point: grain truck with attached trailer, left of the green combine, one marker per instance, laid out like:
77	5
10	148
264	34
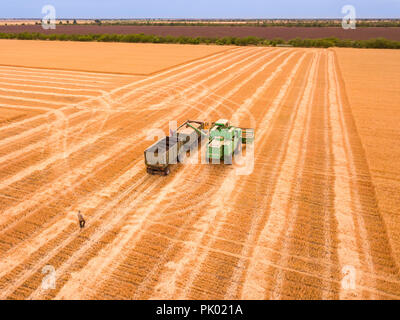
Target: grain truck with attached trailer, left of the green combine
159	156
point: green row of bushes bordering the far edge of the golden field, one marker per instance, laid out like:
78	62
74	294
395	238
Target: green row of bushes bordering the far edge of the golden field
247	41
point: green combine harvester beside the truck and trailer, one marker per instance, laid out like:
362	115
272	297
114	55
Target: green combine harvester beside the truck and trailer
226	140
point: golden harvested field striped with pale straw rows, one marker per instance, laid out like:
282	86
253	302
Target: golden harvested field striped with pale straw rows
316	203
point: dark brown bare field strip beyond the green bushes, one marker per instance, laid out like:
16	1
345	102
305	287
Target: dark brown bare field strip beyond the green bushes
285	33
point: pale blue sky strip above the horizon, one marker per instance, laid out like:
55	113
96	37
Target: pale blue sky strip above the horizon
200	8
